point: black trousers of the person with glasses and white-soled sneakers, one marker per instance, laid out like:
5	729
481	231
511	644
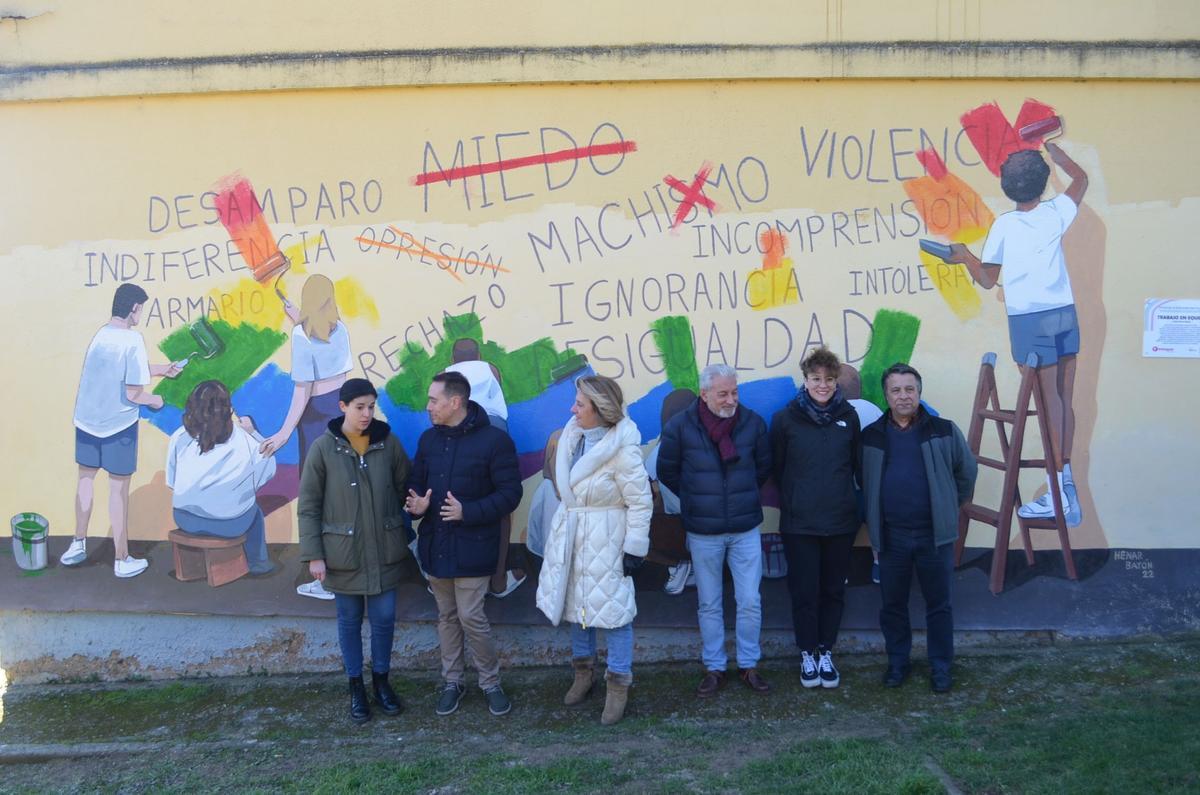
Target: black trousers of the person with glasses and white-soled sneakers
817	581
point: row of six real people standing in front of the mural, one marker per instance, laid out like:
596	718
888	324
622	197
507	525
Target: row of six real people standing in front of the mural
908	474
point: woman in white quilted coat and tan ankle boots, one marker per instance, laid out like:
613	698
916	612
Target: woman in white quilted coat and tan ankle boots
601	534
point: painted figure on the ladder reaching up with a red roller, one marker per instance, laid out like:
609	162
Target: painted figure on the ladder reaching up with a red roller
1025	247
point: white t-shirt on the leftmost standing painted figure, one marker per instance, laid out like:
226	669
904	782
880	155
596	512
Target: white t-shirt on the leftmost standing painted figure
116	360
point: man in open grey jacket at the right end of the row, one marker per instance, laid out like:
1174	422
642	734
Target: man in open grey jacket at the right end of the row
917	473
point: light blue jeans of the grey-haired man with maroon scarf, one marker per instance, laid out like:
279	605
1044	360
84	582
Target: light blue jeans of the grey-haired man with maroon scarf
745	554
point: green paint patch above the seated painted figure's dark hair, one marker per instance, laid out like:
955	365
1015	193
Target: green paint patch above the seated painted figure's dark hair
247	348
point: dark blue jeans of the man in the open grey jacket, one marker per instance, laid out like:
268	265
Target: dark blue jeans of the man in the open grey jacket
904	552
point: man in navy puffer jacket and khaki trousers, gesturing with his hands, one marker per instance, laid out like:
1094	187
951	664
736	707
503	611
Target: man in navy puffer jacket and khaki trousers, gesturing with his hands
465	481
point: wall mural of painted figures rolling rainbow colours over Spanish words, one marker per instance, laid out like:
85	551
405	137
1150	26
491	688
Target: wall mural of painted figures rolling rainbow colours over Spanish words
221	338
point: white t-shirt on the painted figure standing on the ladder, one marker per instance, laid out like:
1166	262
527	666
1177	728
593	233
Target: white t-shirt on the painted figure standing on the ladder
1029	247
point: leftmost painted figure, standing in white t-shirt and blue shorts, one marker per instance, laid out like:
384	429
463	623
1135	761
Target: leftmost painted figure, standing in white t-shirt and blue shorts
112	388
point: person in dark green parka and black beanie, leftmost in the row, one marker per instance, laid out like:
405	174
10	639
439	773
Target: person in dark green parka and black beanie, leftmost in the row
352	535
